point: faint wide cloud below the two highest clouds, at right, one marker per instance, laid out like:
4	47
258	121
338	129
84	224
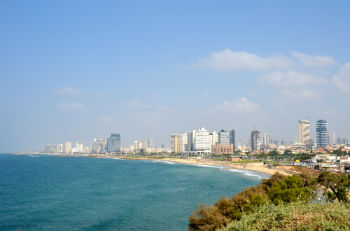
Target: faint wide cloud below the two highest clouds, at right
291	78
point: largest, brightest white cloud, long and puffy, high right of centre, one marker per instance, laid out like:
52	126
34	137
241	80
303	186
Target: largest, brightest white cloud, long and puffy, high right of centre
228	60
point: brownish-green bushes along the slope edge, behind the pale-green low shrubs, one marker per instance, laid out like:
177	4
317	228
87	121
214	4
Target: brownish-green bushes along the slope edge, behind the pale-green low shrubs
278	189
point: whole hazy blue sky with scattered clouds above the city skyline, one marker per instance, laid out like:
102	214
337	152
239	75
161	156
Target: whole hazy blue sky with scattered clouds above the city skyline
75	70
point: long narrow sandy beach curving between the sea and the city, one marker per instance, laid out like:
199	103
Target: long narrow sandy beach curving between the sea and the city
254	166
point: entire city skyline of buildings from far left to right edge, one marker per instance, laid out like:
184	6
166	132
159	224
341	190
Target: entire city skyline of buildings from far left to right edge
201	142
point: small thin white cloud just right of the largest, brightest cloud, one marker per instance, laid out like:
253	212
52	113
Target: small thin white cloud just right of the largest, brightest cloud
313	61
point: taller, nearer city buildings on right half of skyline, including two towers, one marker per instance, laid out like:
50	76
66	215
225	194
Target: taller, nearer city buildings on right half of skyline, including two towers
203	142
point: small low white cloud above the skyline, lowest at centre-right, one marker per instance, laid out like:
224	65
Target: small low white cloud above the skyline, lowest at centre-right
239	106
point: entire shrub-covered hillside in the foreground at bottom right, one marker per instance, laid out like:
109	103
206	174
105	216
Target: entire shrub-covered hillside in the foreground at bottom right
281	203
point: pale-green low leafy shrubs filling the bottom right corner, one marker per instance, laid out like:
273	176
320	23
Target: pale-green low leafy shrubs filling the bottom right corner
295	216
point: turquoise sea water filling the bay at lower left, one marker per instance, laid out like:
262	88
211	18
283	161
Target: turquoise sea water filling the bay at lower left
71	193
